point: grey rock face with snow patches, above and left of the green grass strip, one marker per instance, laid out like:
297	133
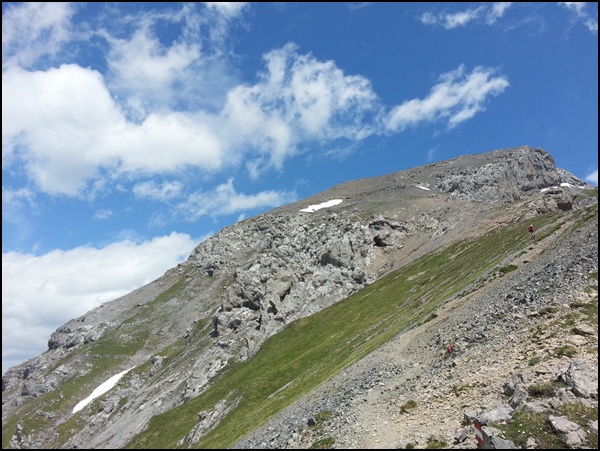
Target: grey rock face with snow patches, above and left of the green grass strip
249	281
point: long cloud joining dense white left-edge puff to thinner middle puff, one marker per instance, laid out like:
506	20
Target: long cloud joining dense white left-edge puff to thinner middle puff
68	130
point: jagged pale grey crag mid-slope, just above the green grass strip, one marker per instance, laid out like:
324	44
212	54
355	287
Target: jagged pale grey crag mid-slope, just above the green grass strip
297	269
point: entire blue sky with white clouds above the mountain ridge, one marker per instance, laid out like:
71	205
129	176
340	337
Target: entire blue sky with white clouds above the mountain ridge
133	131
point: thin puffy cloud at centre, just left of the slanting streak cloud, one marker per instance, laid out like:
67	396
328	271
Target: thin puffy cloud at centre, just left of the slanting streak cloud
299	99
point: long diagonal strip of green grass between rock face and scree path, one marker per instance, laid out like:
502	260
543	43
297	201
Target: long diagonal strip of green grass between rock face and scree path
312	350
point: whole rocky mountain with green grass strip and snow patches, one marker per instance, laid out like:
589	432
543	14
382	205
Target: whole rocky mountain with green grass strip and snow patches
277	328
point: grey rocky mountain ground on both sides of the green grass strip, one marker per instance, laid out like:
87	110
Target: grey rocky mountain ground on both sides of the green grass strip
252	279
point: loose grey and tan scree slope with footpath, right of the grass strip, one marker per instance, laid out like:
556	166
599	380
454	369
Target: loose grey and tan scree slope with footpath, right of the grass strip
496	332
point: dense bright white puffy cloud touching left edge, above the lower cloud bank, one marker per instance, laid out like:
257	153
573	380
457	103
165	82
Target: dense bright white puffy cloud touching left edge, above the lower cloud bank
65	127
